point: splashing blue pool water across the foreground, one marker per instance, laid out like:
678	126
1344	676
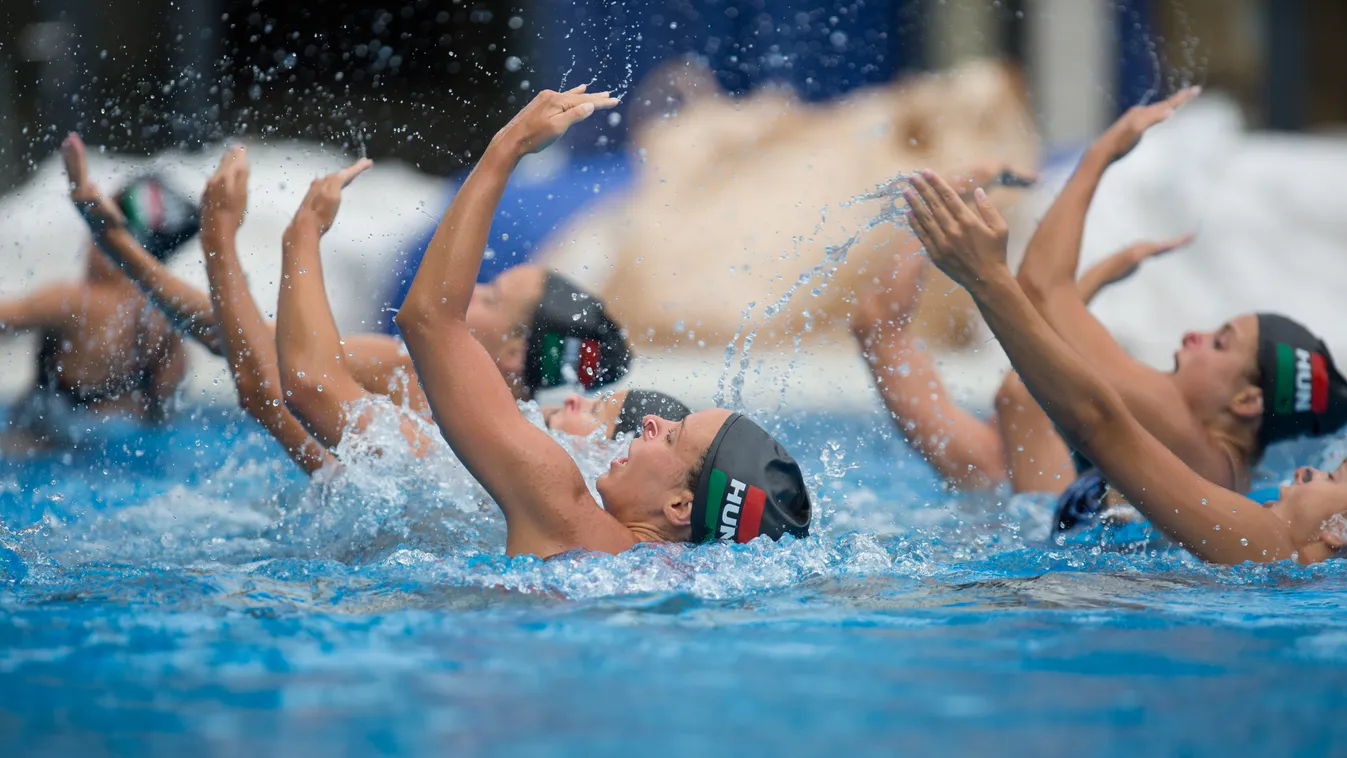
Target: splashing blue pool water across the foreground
189	593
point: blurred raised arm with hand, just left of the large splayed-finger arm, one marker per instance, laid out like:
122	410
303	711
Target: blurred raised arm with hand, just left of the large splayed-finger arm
960	446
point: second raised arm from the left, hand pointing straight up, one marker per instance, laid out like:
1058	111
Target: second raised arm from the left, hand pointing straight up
249	341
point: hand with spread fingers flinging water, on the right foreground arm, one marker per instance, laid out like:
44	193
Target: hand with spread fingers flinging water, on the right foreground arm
968	246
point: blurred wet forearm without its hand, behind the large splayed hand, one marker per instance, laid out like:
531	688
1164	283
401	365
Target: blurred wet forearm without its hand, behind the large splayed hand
960	446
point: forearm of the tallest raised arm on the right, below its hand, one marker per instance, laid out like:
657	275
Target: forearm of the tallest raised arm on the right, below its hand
1054	252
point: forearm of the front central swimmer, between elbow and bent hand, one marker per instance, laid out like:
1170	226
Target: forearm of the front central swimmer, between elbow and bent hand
448	273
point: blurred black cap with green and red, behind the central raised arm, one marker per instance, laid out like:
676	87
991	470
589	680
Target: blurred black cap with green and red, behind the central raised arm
573	341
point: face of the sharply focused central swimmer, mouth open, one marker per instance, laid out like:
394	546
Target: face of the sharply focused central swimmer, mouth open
650	488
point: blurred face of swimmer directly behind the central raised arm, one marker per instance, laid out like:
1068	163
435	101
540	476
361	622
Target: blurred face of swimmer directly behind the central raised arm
499	316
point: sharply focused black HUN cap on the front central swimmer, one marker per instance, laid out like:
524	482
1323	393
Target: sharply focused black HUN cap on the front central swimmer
750	487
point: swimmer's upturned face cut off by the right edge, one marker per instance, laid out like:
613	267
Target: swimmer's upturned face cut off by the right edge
1315	508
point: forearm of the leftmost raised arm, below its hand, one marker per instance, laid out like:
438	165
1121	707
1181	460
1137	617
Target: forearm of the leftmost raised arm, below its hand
188	308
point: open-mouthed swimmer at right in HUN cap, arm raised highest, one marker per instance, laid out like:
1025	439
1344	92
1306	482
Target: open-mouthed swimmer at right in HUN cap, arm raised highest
1221	407
